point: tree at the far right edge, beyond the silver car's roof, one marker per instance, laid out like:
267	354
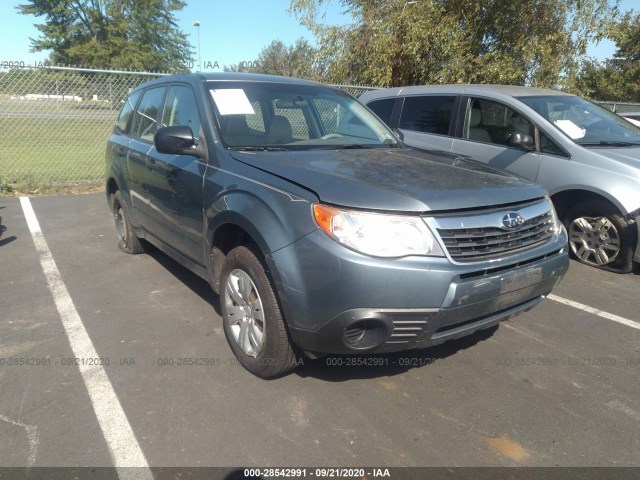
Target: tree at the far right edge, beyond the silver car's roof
617	78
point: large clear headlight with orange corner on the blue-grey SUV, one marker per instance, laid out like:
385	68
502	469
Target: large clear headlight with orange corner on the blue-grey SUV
375	234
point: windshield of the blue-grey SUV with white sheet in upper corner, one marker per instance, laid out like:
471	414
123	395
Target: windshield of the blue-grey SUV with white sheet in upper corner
282	116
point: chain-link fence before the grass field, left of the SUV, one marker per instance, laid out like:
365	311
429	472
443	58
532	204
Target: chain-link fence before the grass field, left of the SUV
55	122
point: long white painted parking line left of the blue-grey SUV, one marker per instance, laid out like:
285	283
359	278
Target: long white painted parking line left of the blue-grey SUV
123	445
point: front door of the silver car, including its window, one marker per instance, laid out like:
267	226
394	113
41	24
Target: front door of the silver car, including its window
499	136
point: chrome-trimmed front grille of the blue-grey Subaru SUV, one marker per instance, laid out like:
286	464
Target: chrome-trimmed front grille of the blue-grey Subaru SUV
468	244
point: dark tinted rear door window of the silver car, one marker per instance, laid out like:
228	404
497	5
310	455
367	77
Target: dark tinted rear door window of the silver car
429	114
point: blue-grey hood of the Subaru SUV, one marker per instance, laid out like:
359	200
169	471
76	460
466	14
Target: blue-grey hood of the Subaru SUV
395	179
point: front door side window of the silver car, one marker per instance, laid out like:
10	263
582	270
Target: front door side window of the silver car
492	122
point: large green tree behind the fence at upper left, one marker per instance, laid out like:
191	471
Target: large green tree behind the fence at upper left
117	34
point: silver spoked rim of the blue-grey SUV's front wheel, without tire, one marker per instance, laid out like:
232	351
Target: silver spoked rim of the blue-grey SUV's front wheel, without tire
245	312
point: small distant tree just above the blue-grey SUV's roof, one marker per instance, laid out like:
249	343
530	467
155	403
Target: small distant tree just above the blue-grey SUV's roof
298	60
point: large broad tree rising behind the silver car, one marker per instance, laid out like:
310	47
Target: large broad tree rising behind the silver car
401	42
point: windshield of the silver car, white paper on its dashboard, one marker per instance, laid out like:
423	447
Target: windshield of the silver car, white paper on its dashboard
585	122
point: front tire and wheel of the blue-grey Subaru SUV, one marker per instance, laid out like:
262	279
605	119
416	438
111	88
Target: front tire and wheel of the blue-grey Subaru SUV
251	316
